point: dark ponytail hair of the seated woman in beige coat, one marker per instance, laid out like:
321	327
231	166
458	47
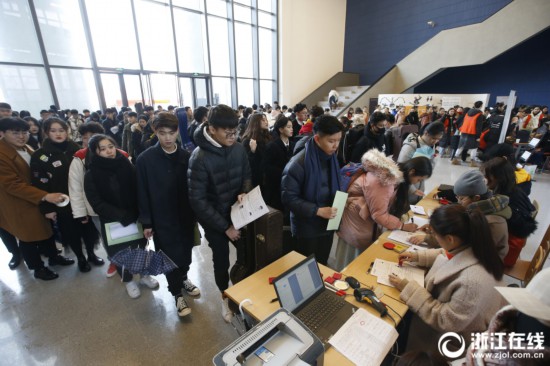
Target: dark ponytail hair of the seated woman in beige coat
472	228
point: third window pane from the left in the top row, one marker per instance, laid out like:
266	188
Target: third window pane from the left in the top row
113	35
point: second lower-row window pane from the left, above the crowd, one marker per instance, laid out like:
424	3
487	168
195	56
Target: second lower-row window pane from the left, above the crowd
75	89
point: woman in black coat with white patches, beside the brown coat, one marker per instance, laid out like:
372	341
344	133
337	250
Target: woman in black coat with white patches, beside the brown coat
50	173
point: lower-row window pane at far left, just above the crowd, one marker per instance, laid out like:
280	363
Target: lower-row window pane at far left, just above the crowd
25	87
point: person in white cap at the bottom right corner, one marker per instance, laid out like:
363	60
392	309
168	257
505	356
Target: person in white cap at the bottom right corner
526	316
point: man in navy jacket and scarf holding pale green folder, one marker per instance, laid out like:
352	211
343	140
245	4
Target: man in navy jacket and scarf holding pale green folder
309	184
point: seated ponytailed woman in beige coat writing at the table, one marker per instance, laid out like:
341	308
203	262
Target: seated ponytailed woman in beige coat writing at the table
459	294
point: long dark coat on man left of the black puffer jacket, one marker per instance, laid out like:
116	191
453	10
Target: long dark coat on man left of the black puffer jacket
164	200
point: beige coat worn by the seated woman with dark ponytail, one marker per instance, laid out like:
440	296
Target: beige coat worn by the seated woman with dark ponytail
459	296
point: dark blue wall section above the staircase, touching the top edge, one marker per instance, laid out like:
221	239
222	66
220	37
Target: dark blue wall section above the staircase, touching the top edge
379	34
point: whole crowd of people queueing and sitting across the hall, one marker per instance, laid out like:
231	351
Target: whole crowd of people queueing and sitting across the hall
67	175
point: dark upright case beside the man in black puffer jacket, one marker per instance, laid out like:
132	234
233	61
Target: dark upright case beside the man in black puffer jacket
268	238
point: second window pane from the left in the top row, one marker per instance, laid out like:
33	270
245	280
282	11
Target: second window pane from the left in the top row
61	26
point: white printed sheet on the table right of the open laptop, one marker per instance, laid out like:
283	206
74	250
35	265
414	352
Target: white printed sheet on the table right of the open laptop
364	339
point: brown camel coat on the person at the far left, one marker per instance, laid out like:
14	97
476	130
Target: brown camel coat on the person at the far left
19	200
